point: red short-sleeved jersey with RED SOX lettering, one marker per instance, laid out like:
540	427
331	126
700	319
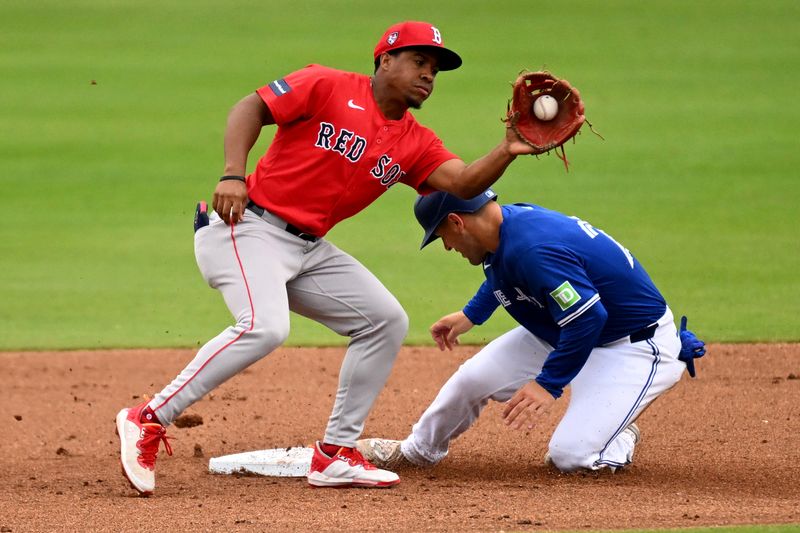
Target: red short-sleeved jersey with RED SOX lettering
334	152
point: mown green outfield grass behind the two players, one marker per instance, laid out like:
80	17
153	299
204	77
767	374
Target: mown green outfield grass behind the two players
113	112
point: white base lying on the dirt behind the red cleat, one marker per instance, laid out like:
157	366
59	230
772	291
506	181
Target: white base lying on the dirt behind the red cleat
278	462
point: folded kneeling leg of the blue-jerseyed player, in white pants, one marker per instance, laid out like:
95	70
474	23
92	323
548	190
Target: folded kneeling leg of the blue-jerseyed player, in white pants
615	385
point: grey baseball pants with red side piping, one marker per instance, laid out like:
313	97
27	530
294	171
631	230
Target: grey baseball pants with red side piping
263	272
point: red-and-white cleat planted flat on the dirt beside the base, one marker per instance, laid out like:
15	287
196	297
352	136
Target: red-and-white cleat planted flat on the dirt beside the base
347	468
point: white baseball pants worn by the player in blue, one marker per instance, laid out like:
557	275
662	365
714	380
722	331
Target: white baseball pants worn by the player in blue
617	383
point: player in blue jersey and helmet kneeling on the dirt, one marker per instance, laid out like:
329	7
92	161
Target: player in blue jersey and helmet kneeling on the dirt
590	317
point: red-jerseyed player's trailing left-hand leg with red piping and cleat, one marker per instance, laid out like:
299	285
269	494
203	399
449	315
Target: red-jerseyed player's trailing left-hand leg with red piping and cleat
249	264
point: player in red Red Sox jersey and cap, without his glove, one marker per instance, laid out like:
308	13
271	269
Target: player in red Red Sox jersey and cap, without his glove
343	139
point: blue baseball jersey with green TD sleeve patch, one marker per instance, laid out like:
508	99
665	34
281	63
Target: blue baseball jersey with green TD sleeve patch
566	282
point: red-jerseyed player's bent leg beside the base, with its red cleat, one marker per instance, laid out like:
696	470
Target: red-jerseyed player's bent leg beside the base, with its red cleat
337	291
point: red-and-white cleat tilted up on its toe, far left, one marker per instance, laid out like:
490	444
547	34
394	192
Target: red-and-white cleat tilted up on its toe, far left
139	442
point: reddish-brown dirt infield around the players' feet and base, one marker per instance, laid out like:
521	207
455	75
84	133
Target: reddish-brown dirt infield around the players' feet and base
720	449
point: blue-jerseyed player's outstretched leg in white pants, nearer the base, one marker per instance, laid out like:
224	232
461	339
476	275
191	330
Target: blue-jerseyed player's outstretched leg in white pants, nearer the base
496	372
